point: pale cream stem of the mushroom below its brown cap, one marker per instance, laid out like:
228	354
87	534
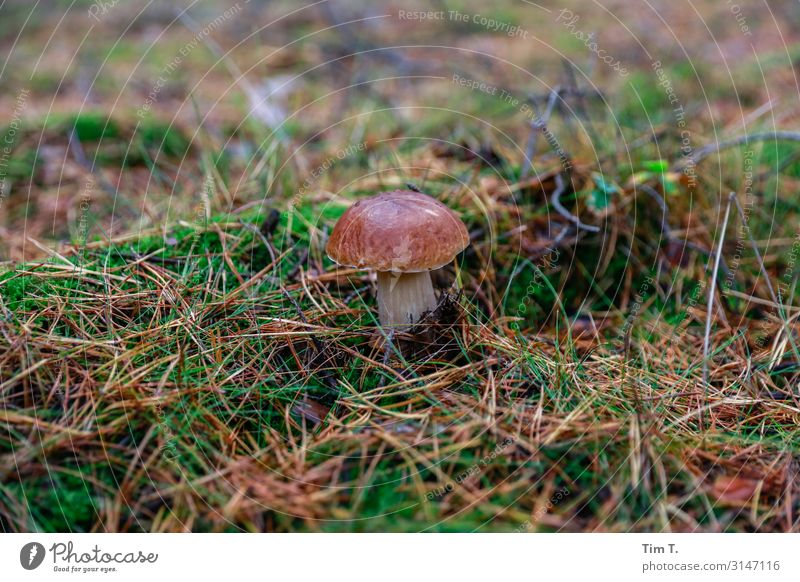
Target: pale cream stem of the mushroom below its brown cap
404	297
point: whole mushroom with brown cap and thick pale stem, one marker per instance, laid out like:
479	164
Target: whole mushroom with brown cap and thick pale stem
402	235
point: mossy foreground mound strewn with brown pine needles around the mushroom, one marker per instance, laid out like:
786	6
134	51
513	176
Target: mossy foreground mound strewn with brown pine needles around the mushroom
161	386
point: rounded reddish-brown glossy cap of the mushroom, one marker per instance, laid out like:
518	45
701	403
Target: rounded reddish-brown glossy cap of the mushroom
399	231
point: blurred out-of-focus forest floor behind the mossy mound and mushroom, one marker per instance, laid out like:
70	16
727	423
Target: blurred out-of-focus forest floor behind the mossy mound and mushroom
118	112
